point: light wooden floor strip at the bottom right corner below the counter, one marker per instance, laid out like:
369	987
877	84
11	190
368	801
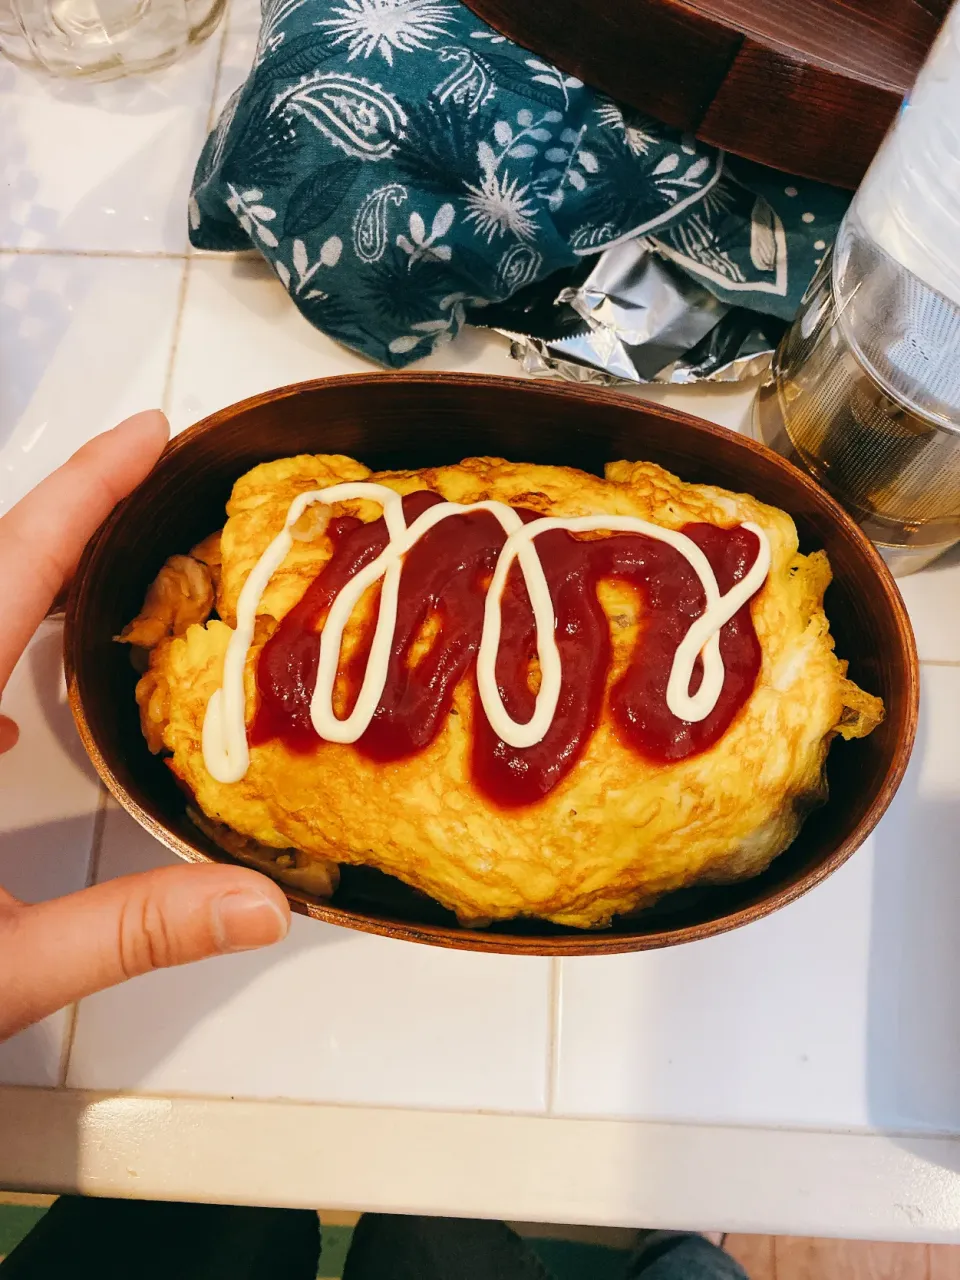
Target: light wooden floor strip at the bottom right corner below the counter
787	1258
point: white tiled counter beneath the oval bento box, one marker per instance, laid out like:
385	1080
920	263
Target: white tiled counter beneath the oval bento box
802	1075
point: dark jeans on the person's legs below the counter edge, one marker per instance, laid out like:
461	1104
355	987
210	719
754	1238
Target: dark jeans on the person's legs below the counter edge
157	1241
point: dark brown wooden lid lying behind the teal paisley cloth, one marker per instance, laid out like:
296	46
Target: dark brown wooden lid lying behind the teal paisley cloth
807	86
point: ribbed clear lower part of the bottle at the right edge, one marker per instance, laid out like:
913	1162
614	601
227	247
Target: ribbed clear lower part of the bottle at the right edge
865	396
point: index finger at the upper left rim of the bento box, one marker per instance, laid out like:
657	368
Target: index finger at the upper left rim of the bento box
43	537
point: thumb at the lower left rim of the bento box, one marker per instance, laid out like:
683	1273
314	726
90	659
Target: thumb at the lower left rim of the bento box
57	953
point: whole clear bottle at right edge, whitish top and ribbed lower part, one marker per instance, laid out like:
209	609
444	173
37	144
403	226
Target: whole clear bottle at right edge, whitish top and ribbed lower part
865	392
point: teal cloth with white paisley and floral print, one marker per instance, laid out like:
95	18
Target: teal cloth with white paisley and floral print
400	164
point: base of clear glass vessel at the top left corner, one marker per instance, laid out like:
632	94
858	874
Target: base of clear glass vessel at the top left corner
103	39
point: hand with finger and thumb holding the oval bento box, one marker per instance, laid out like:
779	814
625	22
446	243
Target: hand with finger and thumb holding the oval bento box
53	954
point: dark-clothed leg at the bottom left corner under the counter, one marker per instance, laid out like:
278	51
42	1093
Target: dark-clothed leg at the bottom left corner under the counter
156	1241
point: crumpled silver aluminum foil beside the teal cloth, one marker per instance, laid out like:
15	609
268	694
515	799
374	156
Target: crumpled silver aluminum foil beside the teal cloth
637	318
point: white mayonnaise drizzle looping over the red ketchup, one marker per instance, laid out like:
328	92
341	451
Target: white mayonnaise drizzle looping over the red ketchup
226	752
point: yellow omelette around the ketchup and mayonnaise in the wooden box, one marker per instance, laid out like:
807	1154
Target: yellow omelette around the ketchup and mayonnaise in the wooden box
616	834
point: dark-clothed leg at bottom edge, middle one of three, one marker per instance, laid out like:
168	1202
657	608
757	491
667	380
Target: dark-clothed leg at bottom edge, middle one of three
436	1249
